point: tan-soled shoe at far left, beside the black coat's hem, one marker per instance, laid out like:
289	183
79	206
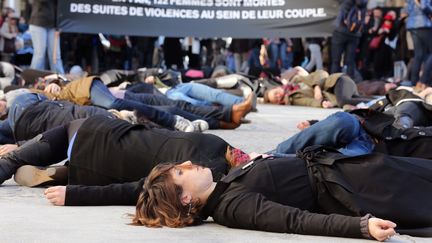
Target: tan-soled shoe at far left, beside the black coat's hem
32	176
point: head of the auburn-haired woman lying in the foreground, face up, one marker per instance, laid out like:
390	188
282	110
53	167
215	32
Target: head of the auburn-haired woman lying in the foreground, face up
173	195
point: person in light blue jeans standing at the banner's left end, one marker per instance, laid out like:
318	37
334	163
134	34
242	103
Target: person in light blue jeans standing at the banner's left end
45	36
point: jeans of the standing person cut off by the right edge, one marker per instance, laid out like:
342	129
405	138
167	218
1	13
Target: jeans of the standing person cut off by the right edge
422	48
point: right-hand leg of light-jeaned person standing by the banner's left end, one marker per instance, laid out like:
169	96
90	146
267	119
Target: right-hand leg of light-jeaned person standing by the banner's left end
56	63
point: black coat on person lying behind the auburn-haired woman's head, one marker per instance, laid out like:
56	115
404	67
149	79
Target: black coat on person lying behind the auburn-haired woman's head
109	151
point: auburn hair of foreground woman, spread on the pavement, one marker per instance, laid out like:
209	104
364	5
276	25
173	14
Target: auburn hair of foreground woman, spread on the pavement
159	203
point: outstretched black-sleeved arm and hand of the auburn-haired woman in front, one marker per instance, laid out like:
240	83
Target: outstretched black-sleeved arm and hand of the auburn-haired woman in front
253	211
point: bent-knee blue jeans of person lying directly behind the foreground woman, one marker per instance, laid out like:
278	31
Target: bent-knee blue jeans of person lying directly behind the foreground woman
340	130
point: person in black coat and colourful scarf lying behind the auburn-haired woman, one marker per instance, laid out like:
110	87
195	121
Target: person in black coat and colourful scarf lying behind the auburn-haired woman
102	150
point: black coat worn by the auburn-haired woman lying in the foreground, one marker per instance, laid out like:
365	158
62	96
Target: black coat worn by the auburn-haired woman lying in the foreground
274	194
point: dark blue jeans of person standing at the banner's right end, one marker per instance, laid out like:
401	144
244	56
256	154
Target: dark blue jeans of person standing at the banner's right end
344	43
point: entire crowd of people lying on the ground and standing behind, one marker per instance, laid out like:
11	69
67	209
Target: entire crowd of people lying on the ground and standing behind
119	128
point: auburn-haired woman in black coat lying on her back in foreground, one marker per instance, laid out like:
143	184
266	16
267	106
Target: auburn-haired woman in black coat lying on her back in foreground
317	193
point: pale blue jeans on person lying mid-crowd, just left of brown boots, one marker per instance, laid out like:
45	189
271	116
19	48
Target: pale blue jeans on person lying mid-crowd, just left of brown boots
200	94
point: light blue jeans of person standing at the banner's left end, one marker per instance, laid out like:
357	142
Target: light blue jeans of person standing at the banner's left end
43	39
